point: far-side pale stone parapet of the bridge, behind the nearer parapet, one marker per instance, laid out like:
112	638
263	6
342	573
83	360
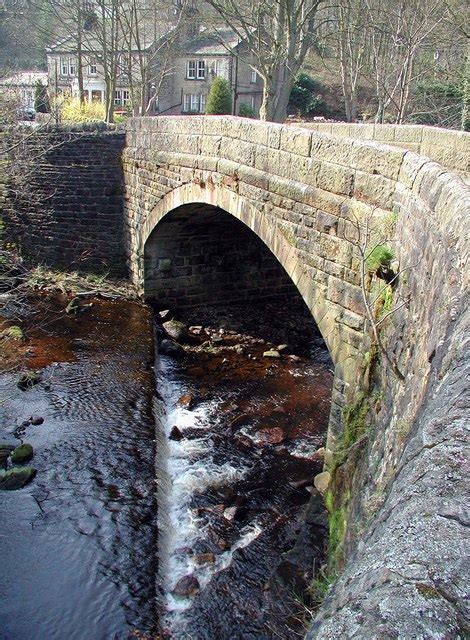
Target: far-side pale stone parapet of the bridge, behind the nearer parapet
448	147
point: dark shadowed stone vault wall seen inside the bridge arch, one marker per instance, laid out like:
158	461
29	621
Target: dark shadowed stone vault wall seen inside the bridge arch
199	255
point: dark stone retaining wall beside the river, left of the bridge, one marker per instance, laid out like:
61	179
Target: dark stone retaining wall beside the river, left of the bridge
66	209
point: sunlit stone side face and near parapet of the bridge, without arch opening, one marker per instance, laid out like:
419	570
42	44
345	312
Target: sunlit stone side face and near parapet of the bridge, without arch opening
297	189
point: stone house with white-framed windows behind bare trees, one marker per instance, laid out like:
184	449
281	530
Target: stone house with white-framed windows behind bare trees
198	54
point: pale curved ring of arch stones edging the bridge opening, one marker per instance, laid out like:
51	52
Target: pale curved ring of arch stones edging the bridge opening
347	362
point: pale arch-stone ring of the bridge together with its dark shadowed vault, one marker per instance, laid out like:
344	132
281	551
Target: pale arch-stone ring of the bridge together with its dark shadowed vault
203	246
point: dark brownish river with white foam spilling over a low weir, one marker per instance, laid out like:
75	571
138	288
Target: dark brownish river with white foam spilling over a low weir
168	488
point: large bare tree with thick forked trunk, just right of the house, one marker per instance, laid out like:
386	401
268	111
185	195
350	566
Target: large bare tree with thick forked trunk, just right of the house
278	34
